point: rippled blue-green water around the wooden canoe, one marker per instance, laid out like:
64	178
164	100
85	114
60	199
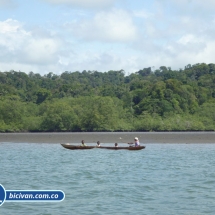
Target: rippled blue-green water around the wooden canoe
160	179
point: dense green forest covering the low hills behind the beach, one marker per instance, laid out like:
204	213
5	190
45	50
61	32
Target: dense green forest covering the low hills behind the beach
159	100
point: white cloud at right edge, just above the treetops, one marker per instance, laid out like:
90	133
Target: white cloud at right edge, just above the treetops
188	49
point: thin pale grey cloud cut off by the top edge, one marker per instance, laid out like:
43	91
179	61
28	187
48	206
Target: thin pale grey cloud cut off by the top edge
83	3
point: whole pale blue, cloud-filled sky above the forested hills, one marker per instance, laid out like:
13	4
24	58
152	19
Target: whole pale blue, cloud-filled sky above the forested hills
55	36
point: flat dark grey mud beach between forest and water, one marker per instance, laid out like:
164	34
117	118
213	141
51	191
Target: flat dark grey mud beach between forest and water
109	137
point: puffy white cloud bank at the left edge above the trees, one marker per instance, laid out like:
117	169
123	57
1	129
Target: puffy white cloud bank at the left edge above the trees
25	47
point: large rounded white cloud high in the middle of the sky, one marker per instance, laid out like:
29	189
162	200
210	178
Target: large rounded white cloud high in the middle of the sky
112	26
